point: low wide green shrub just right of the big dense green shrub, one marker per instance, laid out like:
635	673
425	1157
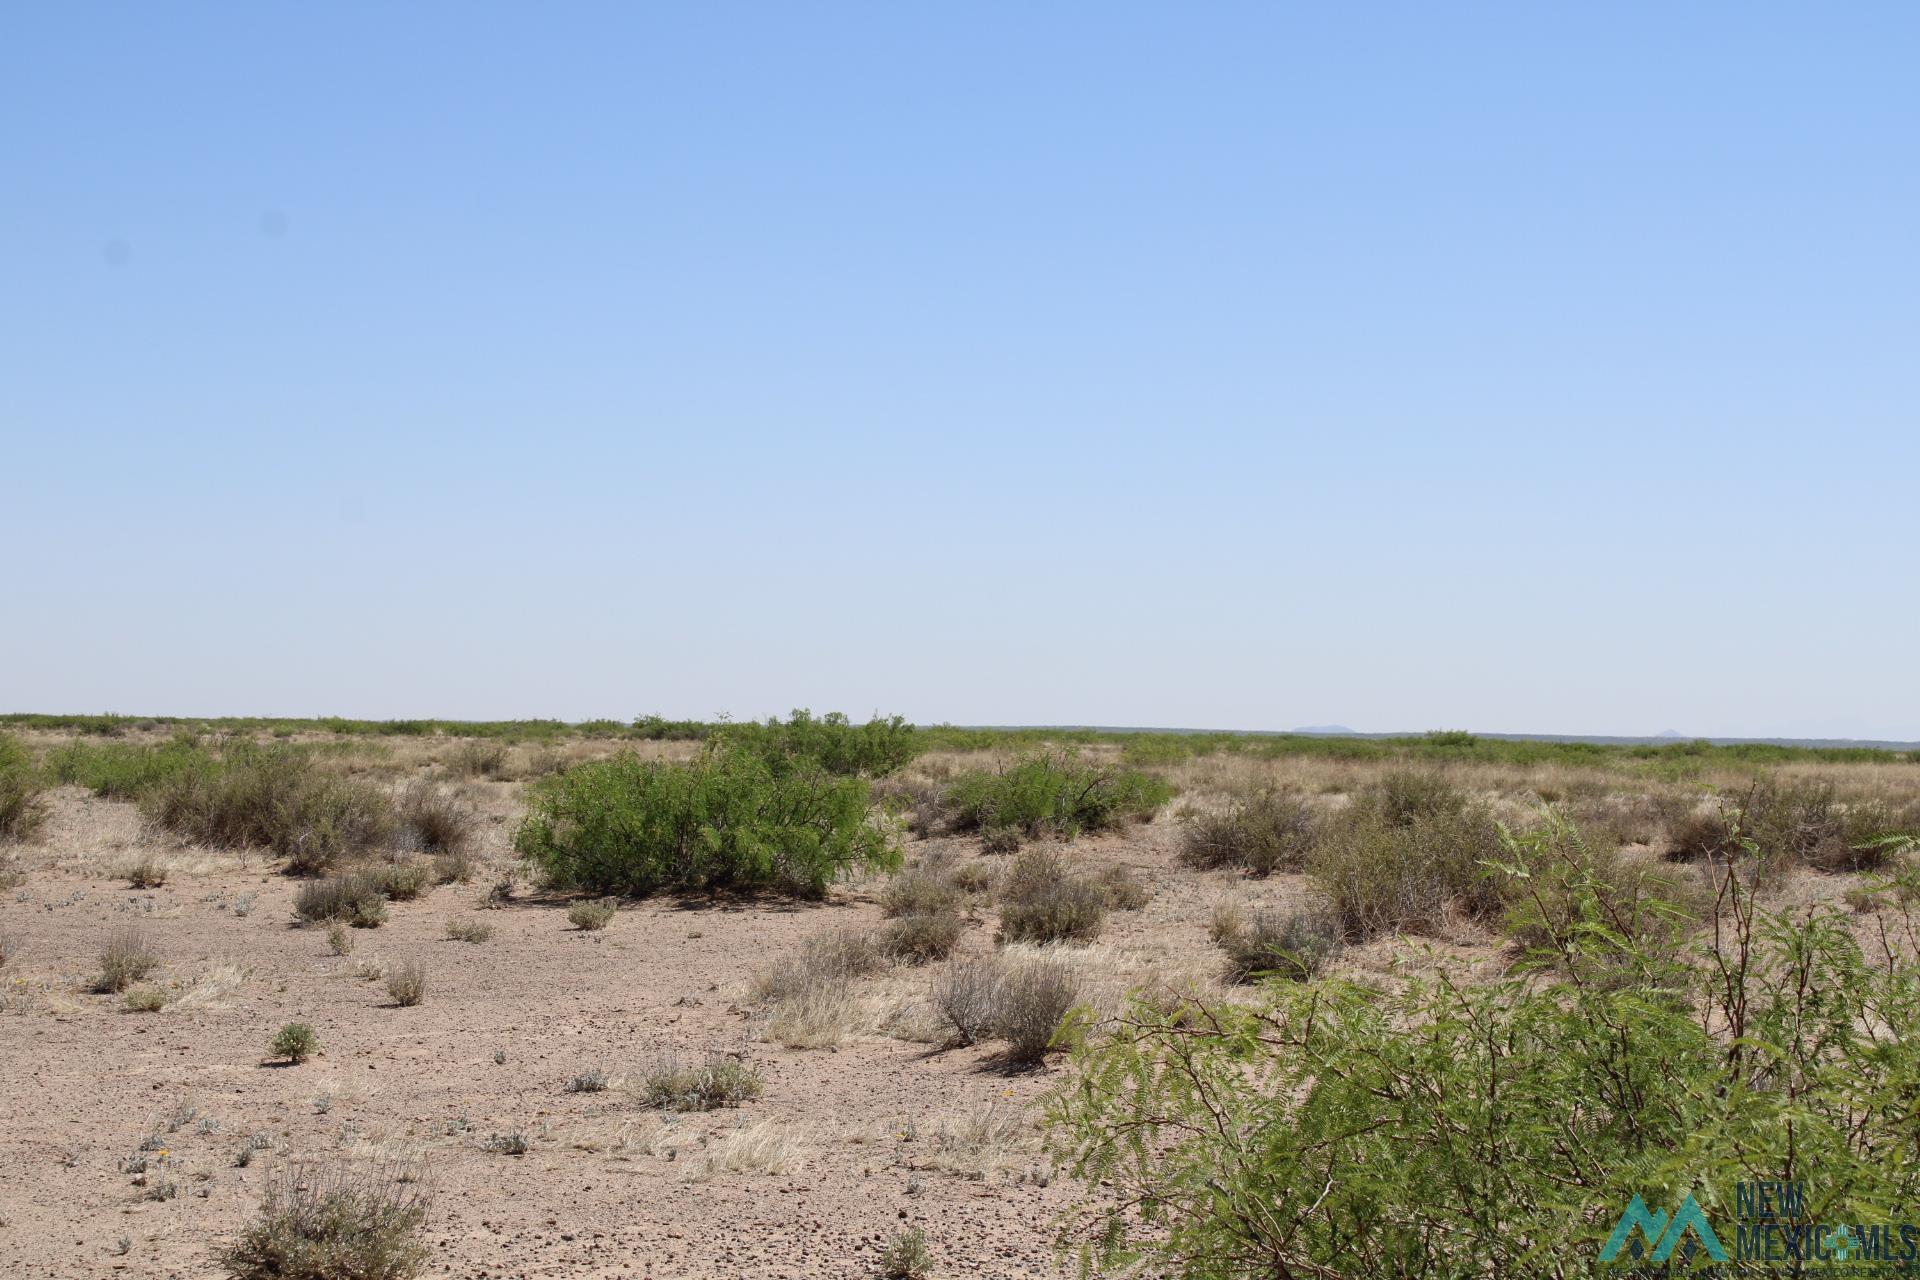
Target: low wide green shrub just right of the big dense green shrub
1053	794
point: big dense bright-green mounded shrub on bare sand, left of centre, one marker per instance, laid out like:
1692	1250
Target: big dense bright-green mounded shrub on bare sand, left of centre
731	818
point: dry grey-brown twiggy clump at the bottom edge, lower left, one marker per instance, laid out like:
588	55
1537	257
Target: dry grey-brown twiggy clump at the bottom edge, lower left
337	1223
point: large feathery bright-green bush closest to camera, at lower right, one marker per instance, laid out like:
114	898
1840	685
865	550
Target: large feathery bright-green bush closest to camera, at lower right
1466	1131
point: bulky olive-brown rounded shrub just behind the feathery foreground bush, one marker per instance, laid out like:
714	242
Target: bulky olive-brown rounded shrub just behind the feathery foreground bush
1385	876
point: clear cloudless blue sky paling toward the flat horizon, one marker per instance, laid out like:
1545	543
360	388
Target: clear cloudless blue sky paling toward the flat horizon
1506	367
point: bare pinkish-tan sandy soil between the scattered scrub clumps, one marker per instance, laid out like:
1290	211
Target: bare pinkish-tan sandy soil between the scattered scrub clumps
610	1189
